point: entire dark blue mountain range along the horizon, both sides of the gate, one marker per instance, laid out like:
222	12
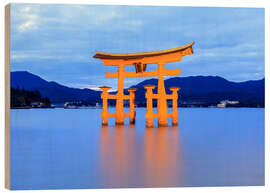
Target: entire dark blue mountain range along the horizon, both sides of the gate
200	90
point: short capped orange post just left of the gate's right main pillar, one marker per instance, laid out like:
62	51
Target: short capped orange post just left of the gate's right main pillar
149	107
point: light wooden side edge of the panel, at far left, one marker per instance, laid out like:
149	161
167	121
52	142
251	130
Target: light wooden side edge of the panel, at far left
7	96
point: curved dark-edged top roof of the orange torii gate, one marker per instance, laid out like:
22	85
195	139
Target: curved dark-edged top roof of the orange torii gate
138	55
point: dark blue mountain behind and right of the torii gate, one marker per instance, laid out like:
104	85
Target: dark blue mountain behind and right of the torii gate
210	90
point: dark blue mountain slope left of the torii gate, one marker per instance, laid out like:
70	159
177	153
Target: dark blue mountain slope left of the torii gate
56	92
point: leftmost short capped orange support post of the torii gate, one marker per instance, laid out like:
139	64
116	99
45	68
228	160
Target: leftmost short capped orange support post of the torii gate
104	97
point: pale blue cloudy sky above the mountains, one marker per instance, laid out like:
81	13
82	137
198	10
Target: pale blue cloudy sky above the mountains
58	42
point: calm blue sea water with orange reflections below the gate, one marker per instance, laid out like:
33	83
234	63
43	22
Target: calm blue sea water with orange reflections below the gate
68	148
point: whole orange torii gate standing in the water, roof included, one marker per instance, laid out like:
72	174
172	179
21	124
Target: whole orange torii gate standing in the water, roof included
140	60
